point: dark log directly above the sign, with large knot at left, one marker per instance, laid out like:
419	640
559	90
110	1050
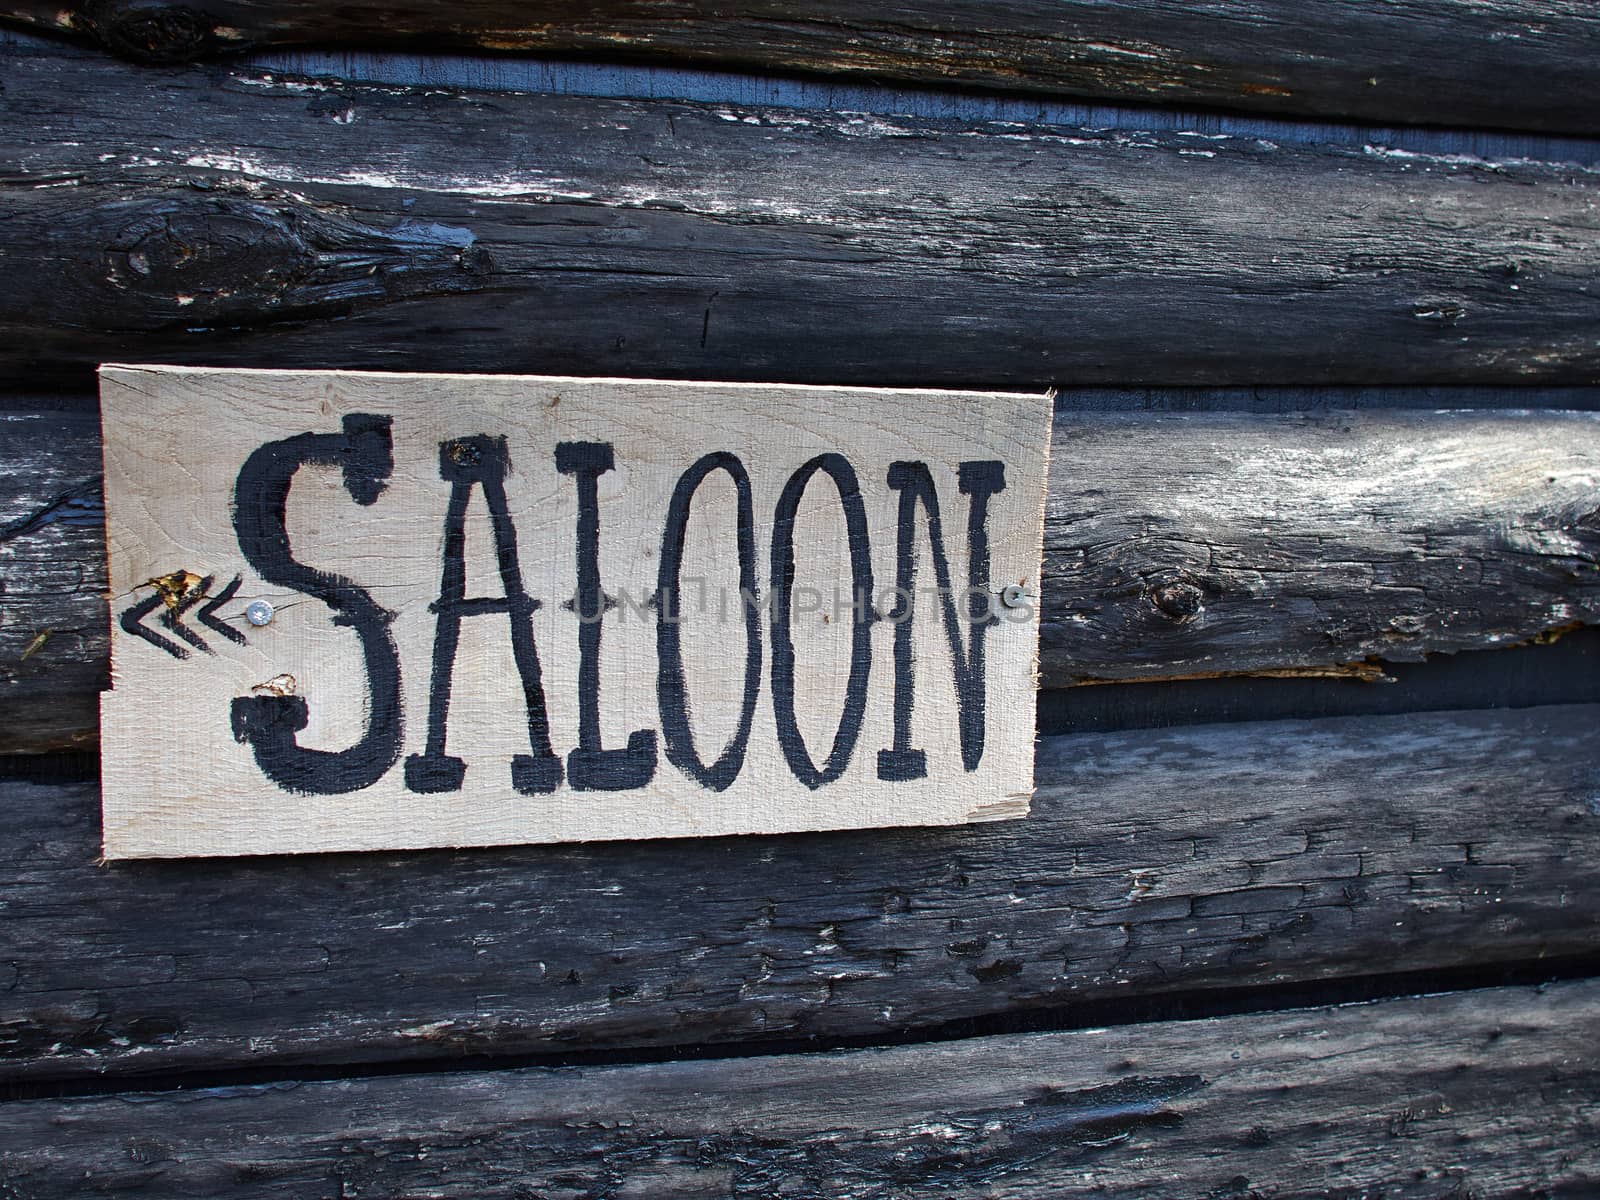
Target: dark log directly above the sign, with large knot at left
226	217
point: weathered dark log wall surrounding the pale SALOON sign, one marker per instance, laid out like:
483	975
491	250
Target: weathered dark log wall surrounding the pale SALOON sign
236	215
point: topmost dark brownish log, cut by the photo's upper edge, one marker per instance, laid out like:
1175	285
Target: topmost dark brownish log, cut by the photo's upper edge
1510	63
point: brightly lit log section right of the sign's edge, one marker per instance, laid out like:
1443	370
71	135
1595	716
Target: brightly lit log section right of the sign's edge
1183	545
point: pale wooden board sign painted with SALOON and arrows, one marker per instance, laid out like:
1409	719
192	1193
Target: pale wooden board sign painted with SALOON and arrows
370	612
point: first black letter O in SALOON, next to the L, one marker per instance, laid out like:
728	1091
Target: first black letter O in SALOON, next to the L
671	687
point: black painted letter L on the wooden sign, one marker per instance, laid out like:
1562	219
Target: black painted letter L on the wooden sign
591	767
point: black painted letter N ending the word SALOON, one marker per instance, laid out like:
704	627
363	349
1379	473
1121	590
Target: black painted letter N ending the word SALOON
914	484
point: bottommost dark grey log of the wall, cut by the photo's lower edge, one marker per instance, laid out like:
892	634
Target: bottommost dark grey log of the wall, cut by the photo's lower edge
1479	1094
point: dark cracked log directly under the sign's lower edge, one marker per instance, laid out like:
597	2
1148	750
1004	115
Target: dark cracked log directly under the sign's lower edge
1154	863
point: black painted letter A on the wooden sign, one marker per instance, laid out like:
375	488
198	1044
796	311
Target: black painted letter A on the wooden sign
466	463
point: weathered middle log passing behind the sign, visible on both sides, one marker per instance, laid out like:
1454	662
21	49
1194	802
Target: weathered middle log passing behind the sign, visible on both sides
1177	545
